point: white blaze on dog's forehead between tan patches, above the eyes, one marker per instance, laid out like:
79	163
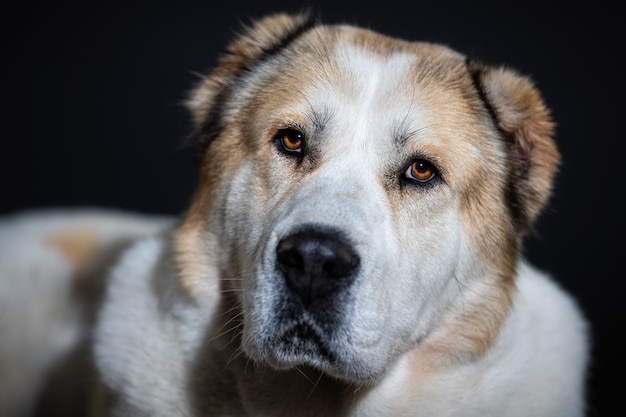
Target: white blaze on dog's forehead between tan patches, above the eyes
371	97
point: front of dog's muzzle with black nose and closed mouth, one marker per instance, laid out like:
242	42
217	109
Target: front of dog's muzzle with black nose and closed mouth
304	310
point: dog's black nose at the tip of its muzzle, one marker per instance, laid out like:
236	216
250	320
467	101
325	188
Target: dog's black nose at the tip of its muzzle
316	263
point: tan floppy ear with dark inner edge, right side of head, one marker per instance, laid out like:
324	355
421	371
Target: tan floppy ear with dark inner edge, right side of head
525	122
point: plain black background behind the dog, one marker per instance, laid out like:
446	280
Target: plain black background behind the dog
93	116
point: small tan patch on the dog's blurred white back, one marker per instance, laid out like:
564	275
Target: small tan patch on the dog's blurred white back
78	246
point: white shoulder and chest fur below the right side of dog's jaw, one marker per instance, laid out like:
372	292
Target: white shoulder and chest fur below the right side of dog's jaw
535	366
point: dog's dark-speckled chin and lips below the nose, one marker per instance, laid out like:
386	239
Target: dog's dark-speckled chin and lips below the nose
302	346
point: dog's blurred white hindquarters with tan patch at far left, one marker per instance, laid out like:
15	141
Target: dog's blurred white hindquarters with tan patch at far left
53	268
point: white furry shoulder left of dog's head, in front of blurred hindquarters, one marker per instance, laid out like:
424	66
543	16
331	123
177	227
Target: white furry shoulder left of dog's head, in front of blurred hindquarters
148	328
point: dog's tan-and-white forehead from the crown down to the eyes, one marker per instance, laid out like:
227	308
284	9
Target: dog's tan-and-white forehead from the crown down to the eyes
381	90
